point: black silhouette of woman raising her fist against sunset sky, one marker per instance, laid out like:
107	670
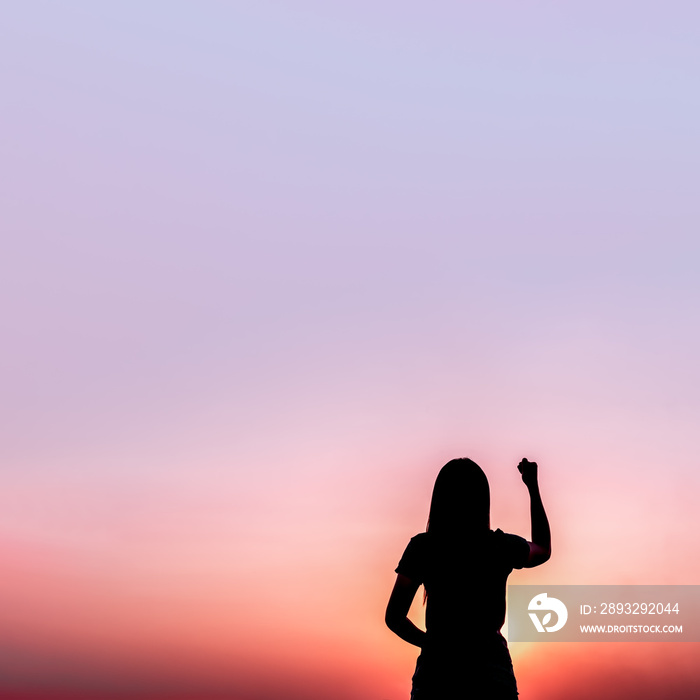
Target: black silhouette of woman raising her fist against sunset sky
463	565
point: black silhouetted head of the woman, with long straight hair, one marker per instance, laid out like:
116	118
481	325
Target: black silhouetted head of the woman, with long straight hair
461	499
